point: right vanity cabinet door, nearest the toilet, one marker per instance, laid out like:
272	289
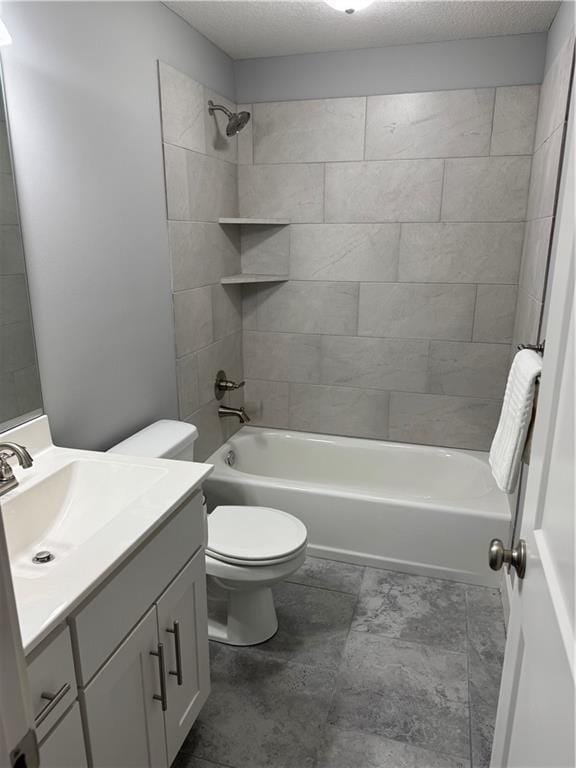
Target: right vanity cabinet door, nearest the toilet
183	628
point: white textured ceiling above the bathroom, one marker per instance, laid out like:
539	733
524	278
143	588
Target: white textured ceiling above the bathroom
248	29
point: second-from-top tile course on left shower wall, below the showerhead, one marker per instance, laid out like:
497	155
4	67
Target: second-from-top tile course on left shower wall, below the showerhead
198	187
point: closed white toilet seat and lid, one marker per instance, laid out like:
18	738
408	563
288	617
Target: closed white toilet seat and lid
254	536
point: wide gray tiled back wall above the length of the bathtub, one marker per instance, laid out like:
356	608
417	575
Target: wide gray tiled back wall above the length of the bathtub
405	253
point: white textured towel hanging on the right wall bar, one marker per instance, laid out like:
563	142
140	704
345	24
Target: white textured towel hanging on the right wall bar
508	444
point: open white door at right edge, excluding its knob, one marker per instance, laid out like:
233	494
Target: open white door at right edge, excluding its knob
535	722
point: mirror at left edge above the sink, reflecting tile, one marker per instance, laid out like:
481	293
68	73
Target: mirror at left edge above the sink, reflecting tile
20	395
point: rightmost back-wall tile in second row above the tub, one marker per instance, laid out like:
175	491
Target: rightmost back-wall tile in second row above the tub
472	369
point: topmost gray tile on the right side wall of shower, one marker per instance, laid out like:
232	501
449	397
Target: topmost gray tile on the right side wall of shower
554	93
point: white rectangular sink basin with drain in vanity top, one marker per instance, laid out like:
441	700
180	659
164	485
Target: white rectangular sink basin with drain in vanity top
65	509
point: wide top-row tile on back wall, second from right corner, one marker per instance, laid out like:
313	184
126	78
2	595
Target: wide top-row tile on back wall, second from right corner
433	124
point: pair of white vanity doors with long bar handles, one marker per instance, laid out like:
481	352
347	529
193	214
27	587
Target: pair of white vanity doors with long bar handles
143	702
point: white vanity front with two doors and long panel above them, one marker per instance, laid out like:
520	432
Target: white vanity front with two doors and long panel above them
140	696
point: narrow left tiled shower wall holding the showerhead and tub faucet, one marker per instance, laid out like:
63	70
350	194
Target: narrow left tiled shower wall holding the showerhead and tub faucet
201	185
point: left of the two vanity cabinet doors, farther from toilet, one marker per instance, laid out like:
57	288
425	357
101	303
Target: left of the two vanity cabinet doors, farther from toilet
125	723
